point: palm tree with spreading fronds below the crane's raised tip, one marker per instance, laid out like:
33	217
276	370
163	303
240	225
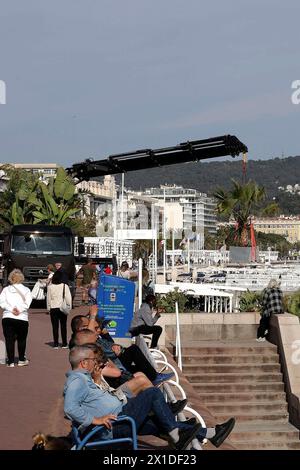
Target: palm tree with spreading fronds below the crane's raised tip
238	204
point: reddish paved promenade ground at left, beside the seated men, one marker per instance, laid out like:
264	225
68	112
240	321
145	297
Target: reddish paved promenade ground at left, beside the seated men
31	397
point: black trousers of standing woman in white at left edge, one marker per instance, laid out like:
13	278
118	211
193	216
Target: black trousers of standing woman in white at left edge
15	330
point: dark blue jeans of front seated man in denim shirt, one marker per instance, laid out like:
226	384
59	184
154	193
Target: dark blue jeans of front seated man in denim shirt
152	416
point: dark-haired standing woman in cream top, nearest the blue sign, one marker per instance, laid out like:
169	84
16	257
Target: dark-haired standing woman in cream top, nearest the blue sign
55	295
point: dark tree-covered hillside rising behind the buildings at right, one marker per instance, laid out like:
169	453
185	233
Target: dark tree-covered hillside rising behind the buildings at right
207	177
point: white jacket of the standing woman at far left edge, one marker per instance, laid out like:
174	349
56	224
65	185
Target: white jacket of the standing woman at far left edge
10	299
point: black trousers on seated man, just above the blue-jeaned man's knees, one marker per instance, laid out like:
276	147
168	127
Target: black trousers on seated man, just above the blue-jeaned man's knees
134	360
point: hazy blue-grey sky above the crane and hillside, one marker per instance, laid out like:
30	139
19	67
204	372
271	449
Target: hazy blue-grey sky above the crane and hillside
92	78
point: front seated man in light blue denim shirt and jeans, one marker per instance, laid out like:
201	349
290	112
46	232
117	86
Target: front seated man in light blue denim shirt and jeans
85	404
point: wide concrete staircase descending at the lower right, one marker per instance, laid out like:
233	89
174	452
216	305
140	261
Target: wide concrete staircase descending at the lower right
243	379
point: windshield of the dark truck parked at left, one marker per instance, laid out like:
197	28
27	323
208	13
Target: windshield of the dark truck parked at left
41	244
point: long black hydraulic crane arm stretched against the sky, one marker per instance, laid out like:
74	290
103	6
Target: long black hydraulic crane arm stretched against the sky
149	158
